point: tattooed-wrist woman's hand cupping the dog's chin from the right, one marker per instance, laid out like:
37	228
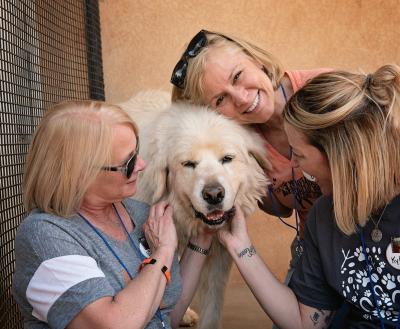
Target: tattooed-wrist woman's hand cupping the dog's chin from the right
235	236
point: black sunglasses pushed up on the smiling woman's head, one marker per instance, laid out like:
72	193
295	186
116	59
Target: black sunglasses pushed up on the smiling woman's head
198	42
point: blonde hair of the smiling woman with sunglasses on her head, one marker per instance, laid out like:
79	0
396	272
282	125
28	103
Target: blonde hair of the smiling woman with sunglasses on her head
192	90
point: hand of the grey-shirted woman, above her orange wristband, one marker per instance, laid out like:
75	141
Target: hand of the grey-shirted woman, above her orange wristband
159	228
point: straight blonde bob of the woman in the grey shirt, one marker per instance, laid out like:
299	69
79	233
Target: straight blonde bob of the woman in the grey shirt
69	147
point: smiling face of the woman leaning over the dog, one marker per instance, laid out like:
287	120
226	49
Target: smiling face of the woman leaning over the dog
245	94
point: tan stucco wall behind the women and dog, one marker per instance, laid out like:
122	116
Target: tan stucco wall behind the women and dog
142	41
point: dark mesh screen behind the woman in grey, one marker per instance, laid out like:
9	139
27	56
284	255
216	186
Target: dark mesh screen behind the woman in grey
50	50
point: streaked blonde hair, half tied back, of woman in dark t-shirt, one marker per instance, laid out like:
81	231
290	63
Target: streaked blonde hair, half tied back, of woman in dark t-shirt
354	120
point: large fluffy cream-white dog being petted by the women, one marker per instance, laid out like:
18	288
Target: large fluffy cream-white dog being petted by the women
203	164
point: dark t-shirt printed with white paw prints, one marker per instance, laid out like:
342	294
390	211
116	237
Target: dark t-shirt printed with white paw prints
333	268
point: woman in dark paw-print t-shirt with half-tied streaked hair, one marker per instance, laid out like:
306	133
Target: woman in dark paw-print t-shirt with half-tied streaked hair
344	130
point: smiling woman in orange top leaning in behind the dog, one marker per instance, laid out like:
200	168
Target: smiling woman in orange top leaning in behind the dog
249	85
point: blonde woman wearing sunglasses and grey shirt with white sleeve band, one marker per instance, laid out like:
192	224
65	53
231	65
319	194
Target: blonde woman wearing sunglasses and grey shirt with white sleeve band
88	256
